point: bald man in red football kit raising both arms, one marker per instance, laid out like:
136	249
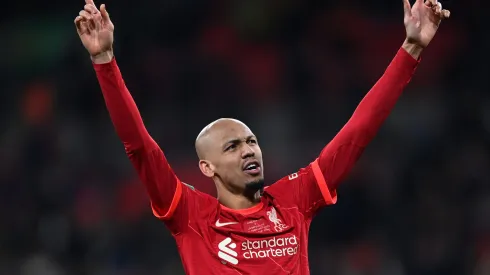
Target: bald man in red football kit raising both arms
248	229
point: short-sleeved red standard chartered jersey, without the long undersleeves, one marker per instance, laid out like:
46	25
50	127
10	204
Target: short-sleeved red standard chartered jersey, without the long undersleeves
269	238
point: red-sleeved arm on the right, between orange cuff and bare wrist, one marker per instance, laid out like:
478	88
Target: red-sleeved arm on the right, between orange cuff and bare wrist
340	155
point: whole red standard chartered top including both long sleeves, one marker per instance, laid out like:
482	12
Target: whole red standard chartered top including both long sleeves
271	237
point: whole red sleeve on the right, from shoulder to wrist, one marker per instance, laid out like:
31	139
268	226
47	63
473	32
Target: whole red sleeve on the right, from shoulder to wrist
315	185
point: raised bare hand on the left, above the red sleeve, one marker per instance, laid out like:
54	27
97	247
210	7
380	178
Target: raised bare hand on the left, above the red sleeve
96	32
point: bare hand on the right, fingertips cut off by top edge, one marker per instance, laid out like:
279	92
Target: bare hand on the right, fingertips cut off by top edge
422	20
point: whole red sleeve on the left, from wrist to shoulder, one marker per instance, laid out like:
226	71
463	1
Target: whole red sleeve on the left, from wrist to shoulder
169	197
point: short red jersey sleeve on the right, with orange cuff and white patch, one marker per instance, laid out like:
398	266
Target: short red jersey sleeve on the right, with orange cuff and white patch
306	189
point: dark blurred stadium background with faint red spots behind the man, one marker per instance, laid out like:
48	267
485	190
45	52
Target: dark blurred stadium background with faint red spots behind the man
418	202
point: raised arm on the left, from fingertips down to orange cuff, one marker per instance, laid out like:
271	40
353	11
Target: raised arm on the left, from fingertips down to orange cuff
96	32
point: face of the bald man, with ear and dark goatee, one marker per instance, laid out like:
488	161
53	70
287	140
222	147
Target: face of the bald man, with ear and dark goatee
233	156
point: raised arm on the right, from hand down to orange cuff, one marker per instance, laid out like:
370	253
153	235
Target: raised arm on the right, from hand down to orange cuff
338	157
